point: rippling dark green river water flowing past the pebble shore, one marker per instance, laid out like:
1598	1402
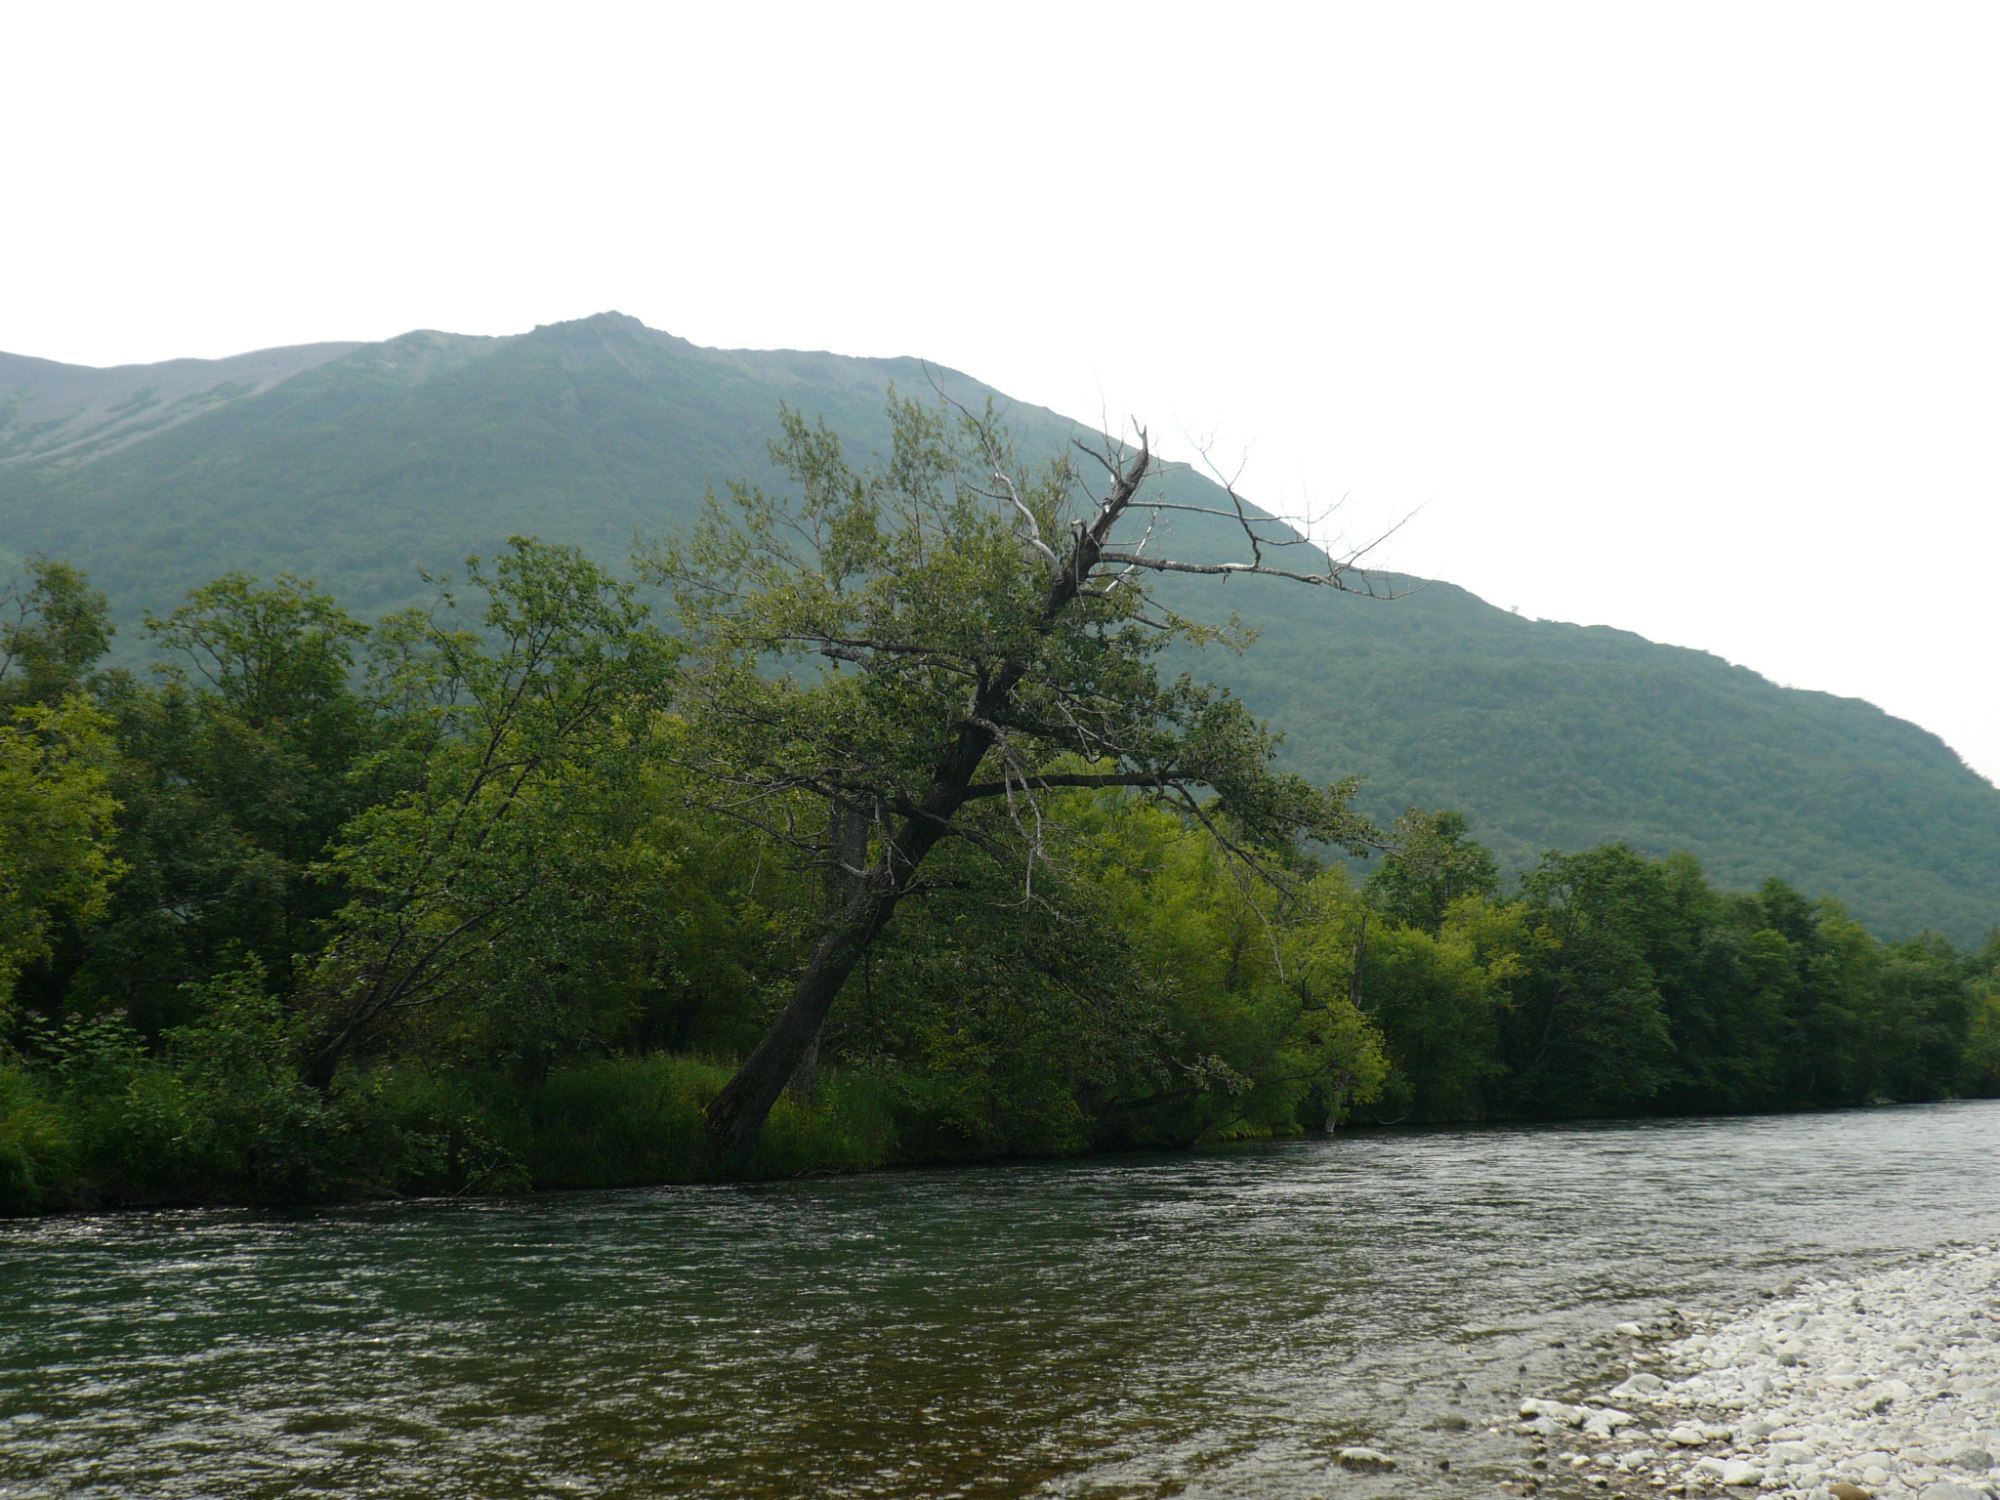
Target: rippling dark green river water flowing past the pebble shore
1209	1325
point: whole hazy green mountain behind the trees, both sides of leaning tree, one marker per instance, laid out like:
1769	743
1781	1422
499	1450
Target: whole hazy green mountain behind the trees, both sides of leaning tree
359	465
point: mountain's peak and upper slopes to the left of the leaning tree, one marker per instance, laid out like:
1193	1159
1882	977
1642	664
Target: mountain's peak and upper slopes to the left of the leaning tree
369	463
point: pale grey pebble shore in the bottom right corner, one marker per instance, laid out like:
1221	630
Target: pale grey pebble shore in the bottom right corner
1885	1385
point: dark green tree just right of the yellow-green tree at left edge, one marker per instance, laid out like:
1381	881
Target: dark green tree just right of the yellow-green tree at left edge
237	769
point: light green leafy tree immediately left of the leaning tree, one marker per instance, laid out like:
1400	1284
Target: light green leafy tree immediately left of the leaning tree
491	881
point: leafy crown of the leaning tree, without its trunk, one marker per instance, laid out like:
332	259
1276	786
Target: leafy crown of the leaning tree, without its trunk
845	631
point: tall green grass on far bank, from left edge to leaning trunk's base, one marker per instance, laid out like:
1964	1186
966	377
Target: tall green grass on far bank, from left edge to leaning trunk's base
143	1131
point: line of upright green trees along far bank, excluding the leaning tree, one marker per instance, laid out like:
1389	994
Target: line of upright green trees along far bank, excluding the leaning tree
319	909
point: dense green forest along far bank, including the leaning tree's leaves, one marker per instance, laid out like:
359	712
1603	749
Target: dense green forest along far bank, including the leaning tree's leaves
499	891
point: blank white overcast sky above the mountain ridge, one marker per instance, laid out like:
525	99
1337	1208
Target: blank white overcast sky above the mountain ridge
1677	317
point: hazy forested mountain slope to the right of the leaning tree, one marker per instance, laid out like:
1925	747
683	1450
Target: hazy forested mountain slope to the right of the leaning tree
1563	737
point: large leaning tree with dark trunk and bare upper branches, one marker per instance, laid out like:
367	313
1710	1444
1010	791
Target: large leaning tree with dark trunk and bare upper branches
891	657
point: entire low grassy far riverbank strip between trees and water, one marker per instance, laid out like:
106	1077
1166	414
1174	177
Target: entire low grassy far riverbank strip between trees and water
115	1129
